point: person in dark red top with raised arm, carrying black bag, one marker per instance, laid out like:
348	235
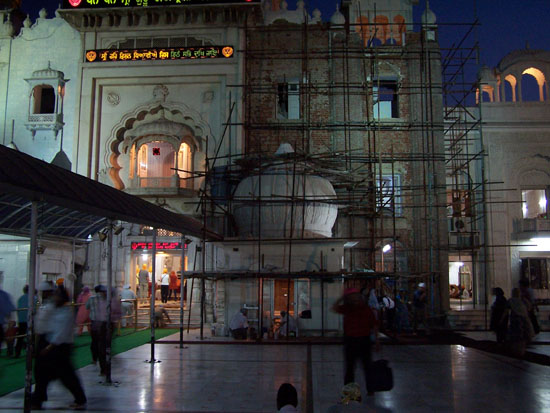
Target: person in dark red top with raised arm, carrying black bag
359	324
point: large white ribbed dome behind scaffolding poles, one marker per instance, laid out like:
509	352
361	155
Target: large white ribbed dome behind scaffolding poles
311	216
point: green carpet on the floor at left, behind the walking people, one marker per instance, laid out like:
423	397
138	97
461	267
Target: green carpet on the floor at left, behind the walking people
12	371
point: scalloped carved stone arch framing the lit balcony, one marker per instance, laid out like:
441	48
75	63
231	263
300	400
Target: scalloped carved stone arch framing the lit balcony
176	121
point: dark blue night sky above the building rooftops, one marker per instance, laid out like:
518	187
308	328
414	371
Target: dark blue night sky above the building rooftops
506	25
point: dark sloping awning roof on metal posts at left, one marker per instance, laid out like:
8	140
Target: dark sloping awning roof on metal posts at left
71	205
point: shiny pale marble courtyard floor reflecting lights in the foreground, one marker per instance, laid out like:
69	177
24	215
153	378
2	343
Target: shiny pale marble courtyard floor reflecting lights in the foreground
244	378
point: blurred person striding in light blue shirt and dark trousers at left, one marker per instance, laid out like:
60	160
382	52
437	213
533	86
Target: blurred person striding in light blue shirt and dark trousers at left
54	360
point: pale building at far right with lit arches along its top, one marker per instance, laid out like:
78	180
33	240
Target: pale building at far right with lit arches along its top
516	133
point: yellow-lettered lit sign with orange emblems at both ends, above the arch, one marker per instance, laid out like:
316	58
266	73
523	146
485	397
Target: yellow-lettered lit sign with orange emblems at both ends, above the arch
170	53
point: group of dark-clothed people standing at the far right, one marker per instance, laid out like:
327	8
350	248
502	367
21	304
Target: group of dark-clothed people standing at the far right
514	321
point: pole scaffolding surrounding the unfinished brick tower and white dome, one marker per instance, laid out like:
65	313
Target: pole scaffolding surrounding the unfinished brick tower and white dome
383	113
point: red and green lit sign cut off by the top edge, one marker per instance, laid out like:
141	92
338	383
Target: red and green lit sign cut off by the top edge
104	4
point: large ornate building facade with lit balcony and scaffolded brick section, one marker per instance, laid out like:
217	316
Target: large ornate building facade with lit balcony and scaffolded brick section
313	147
